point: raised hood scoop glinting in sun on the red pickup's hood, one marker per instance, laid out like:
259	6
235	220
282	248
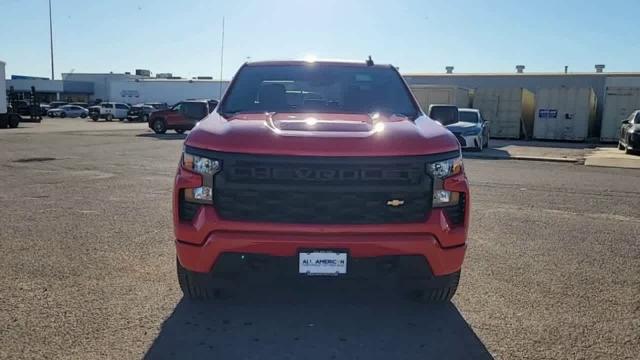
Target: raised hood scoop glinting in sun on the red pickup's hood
297	126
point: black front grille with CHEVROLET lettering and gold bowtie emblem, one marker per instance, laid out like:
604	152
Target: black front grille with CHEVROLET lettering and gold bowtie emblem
322	190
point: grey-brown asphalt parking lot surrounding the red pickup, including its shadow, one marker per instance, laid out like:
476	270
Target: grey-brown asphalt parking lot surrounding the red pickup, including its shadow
89	266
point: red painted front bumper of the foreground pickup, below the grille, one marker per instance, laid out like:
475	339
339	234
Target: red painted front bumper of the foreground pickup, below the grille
203	239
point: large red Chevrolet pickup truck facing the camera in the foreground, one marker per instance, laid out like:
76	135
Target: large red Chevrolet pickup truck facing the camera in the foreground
320	169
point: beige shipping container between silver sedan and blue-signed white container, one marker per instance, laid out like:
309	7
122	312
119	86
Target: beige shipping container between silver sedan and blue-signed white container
509	111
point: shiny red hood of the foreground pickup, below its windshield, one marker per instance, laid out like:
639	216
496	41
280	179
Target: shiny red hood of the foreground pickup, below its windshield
322	134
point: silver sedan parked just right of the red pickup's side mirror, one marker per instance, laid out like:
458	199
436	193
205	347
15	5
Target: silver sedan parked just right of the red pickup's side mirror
472	130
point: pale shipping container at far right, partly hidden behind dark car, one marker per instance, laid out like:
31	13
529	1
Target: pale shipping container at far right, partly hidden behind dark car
619	103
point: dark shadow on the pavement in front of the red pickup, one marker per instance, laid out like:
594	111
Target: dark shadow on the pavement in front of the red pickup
322	321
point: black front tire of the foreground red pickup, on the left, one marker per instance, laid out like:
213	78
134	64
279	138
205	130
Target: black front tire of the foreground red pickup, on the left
198	286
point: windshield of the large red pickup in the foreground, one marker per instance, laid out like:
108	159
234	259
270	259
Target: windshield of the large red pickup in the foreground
318	88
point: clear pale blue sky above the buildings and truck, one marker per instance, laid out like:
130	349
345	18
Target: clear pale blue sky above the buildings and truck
184	37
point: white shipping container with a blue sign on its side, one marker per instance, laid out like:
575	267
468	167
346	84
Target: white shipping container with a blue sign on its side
565	114
